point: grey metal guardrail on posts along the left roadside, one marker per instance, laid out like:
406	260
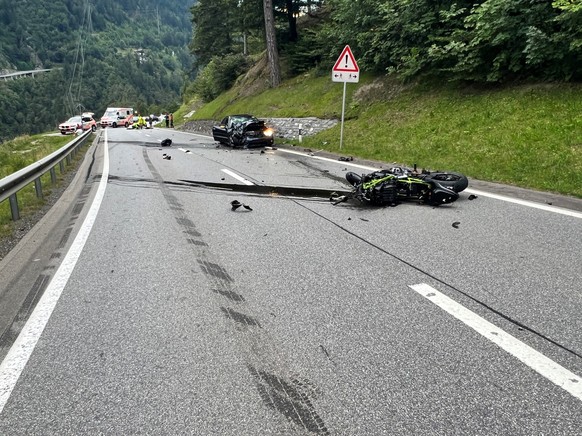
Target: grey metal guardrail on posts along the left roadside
10	185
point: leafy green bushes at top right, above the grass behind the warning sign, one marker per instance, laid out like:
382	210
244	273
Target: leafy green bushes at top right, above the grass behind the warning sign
468	40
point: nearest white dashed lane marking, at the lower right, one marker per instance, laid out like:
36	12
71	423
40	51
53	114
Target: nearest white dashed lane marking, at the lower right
546	367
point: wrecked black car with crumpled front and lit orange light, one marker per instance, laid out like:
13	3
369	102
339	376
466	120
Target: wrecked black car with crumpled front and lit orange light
243	131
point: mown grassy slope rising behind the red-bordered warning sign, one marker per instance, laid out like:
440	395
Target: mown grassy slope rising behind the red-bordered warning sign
527	135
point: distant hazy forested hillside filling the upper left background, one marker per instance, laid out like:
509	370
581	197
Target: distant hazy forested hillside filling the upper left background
102	53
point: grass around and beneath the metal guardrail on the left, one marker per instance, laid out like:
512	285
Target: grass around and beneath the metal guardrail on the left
17	154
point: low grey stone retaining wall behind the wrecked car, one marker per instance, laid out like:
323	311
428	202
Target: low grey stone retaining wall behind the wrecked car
289	128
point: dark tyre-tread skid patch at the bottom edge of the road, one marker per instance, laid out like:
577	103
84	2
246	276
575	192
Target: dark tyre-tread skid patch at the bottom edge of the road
289	399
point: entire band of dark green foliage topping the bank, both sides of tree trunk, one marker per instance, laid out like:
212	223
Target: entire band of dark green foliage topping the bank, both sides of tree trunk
480	41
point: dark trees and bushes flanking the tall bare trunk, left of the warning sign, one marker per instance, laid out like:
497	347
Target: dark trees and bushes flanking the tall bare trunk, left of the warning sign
226	31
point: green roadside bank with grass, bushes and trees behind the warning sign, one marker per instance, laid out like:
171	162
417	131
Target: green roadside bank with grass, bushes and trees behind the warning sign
490	88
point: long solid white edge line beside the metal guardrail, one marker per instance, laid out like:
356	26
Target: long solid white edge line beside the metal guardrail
13	364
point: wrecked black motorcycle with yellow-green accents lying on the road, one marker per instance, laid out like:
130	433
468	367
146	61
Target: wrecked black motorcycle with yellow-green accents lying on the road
389	187
